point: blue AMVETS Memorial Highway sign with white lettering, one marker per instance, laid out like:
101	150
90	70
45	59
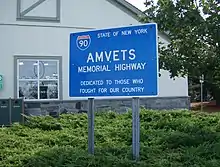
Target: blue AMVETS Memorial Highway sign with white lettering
119	61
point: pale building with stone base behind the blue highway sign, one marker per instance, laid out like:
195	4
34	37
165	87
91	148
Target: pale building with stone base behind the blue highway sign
34	48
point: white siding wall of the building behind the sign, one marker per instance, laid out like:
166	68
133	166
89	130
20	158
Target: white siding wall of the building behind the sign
52	39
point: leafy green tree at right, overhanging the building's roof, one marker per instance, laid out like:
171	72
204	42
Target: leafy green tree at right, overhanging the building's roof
193	27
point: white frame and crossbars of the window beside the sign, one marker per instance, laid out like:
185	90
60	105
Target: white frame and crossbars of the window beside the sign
37	59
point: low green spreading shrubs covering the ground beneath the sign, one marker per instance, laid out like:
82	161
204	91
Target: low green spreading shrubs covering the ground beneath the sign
167	138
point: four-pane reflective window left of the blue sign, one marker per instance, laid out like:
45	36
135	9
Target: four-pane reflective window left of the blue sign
38	79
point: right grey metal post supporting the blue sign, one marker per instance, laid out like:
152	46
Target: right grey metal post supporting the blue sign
135	128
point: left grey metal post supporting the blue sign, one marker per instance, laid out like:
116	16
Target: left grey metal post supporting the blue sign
91	117
